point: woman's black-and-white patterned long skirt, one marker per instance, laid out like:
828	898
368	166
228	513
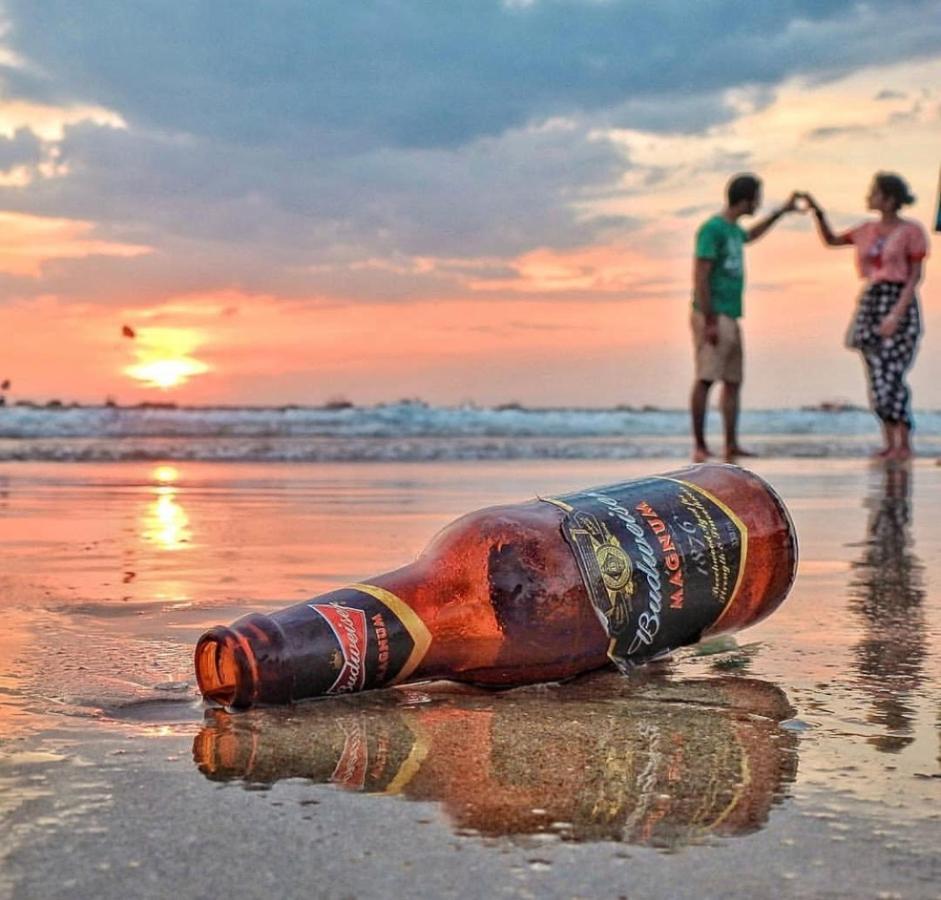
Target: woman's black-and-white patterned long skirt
887	359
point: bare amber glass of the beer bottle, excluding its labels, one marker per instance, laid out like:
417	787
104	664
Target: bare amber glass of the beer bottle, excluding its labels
502	596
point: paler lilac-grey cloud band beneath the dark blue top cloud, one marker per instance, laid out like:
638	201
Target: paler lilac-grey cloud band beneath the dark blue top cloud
260	217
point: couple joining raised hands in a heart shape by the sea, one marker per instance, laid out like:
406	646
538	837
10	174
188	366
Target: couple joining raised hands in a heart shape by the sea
889	254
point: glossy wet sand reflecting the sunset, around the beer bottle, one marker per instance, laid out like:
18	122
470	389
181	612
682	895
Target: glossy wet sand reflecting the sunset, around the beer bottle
803	762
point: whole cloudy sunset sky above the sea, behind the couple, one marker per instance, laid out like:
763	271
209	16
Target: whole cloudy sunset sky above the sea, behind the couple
483	201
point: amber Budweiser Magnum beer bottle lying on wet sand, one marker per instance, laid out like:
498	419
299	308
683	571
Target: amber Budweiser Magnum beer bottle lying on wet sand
535	591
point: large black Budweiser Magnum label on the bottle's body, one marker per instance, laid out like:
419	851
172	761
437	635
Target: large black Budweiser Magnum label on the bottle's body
662	560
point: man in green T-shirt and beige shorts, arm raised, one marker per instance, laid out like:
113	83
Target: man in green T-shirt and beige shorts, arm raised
719	278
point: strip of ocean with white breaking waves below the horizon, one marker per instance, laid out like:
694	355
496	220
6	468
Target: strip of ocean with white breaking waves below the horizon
416	431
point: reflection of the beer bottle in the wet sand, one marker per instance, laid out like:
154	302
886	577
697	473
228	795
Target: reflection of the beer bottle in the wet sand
663	766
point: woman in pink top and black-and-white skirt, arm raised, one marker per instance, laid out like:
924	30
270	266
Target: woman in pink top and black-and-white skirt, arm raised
887	324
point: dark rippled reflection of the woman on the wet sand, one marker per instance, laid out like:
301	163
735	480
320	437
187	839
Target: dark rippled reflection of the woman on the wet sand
887	591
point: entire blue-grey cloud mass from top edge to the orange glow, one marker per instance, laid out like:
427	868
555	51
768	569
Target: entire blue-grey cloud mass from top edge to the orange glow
284	145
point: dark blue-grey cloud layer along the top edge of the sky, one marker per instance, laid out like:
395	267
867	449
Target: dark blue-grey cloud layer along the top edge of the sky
418	73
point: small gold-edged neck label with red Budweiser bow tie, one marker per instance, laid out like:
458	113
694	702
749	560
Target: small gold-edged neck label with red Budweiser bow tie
379	639
